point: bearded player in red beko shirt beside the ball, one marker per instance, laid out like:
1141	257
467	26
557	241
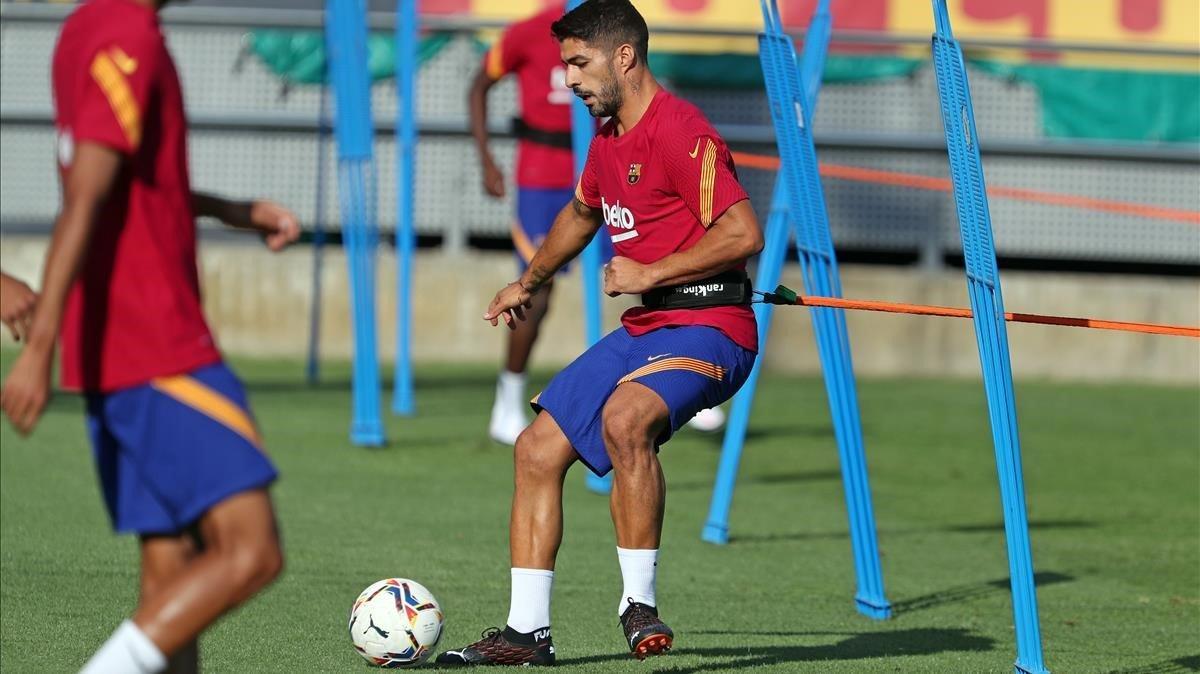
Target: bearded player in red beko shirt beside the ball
662	185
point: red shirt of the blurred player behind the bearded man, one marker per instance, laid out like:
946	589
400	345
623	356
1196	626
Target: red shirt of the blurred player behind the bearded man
529	51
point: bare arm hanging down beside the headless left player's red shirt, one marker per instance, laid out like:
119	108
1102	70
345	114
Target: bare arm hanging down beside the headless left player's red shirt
86	188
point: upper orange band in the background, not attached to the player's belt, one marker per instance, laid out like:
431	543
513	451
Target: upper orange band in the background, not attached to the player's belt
898	179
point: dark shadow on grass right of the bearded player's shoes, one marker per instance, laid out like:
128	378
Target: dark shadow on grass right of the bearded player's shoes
855	647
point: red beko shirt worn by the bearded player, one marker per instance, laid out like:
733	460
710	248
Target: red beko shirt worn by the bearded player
661	186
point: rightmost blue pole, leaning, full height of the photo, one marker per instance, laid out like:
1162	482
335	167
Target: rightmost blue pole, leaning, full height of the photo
992	334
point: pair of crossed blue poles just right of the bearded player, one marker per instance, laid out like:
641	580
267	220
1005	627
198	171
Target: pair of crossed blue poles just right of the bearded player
799	192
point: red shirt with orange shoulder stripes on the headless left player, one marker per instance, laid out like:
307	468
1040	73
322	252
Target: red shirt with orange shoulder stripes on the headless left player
135	312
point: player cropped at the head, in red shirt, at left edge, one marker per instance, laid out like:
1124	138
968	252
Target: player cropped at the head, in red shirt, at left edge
177	449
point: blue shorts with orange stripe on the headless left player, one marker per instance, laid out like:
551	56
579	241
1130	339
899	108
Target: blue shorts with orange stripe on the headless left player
172	449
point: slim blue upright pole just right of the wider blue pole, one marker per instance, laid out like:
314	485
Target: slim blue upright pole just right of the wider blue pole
406	174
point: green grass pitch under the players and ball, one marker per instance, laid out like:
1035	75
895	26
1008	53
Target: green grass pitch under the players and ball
1113	476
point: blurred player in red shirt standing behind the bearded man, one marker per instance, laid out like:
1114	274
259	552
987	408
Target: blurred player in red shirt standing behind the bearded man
545	170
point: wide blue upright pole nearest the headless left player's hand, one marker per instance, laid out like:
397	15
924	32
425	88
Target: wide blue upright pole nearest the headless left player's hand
346	38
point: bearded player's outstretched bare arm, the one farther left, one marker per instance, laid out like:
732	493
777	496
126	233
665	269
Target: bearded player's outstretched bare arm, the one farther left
572	232
